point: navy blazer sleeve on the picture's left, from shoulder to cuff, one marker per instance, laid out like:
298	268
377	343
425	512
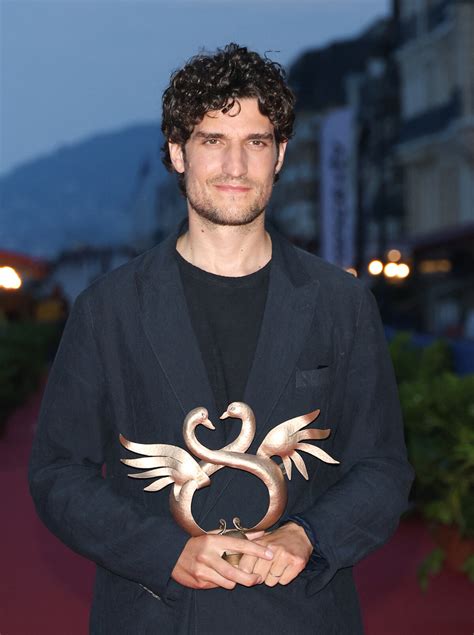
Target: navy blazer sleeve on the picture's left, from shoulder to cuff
71	495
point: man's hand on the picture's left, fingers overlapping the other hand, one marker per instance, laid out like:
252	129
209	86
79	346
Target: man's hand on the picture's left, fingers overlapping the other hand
201	566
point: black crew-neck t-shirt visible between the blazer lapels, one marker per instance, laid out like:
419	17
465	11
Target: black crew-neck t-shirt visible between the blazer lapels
226	314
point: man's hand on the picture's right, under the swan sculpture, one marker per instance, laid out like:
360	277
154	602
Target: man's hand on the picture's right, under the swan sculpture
292	549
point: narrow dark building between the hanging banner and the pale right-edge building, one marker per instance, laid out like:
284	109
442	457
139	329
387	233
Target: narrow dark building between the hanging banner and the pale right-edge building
374	98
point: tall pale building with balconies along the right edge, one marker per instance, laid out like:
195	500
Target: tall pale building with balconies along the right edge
435	151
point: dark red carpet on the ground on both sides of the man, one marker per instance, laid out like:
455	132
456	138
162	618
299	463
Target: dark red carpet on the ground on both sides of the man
46	589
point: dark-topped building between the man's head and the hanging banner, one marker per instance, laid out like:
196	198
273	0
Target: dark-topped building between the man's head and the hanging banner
318	79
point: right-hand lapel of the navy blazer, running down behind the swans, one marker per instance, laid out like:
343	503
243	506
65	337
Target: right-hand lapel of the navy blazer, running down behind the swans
288	315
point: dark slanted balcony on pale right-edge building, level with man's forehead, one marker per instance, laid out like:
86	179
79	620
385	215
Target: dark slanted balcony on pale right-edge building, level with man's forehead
431	121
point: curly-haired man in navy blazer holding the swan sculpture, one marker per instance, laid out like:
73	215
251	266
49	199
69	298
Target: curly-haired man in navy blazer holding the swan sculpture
225	310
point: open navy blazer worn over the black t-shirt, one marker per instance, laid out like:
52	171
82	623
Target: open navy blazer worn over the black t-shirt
129	363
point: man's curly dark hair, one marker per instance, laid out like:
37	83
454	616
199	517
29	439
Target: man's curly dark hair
215	82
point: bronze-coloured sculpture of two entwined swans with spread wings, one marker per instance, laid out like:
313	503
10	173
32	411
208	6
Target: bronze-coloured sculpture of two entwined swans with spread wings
172	464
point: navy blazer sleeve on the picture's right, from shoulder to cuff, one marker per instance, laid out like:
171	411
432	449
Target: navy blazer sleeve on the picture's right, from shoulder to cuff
362	509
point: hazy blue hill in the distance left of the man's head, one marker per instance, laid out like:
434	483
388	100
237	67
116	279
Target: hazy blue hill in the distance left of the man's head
98	192
